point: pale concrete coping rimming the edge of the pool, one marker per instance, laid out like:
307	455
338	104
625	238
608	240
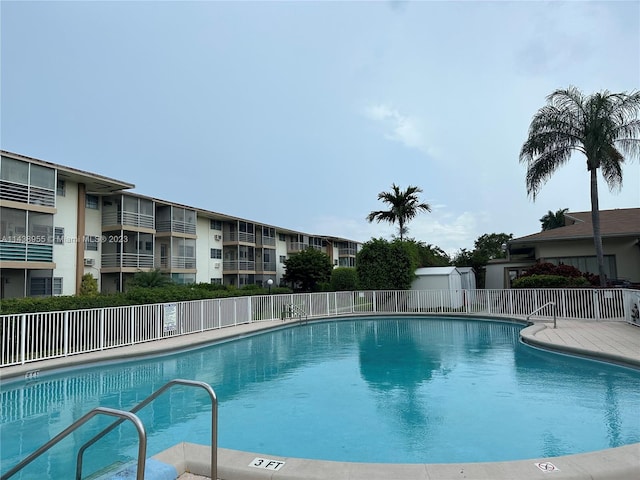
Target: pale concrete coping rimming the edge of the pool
620	463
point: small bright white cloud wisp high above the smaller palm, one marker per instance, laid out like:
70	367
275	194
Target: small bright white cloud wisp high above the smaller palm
399	127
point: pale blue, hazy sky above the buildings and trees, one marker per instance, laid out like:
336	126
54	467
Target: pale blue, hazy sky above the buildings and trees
297	114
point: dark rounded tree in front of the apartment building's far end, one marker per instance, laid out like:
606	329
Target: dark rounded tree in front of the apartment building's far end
306	269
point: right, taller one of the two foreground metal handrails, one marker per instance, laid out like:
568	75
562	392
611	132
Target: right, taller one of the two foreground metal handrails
149	399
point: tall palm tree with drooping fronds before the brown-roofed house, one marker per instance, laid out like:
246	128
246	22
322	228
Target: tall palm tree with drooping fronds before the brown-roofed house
603	126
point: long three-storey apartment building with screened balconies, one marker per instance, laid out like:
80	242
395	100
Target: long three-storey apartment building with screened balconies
59	223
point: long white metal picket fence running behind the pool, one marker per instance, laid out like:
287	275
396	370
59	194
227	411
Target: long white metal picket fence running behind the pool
38	336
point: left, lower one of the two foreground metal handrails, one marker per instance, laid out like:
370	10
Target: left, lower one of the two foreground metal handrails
142	447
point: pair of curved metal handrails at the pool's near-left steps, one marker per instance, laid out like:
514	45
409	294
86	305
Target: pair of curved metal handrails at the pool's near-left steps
130	415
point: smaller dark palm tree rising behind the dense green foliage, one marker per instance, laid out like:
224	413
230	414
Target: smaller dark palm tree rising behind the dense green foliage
405	205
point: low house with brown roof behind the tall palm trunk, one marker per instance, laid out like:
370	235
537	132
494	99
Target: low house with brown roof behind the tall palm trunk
573	245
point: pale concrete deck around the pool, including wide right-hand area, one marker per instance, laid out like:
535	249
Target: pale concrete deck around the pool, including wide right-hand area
617	342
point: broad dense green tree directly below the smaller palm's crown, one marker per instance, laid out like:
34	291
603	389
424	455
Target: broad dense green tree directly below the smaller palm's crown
384	265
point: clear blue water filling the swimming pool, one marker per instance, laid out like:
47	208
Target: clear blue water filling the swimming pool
368	390
